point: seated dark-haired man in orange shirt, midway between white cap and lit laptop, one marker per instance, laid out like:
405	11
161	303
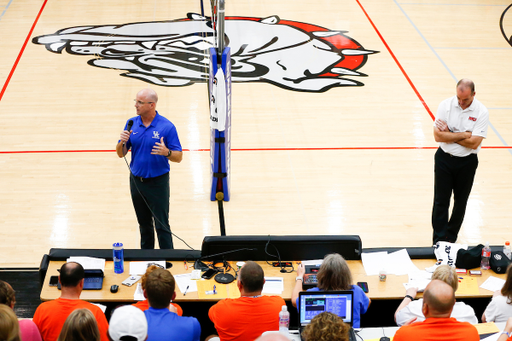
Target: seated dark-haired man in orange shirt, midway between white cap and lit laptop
247	317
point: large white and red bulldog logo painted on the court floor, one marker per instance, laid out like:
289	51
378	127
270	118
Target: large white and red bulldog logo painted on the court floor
292	55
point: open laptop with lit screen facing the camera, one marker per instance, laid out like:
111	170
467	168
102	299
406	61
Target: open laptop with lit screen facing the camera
312	303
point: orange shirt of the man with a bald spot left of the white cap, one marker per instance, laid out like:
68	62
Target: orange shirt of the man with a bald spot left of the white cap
50	317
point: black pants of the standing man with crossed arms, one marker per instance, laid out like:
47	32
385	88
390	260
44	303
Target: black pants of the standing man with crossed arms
452	175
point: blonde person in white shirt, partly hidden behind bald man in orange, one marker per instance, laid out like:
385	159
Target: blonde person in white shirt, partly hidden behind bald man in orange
412	309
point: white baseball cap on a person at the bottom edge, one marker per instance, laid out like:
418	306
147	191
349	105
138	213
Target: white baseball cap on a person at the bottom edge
128	321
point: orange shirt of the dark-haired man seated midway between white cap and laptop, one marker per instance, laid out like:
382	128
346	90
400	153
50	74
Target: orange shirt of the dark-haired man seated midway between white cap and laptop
246	318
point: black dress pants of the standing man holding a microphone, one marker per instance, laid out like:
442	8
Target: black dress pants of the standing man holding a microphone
150	199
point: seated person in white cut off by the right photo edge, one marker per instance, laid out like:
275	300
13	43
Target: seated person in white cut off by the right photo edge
500	307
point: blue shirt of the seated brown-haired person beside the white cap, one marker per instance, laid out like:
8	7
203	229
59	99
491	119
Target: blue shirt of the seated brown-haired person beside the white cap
164	326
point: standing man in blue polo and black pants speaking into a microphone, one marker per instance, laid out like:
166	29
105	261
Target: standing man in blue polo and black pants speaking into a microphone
154	142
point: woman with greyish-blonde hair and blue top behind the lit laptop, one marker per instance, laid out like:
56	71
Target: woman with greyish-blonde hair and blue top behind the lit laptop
334	274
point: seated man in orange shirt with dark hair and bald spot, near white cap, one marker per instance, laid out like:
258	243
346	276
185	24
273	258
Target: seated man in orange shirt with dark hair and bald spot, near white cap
50	316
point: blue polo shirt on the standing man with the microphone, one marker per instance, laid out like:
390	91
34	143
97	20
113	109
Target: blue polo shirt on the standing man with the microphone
141	142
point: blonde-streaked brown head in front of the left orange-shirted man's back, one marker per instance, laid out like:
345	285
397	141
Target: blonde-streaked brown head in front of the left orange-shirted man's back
80	325
